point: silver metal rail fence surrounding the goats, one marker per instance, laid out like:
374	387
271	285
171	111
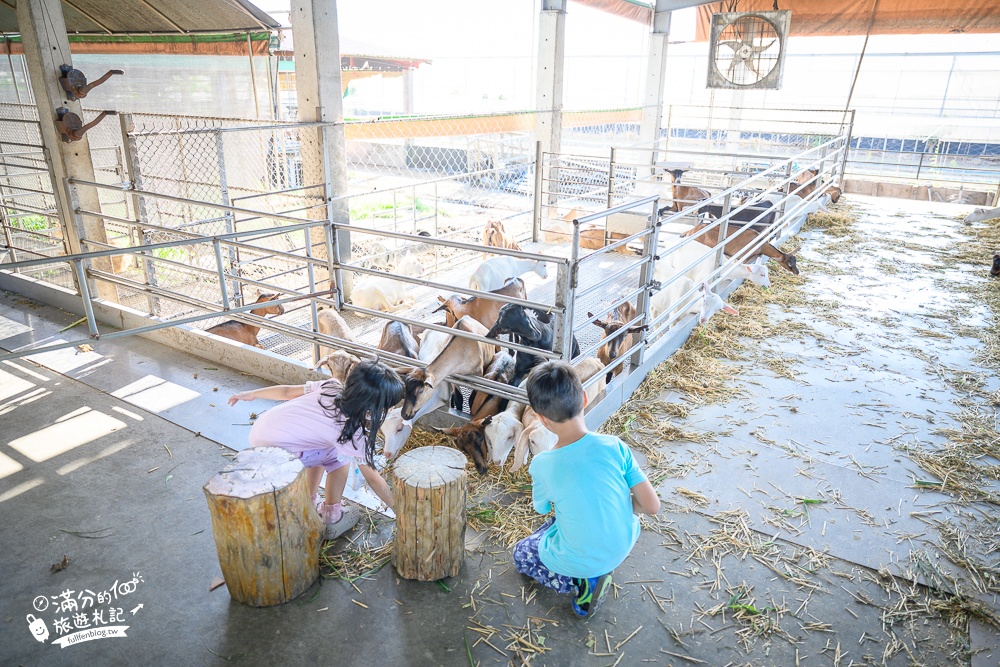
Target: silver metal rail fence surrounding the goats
204	263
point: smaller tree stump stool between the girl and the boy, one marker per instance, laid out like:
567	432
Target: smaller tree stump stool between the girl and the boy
429	497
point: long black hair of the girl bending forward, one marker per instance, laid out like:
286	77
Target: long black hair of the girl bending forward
372	388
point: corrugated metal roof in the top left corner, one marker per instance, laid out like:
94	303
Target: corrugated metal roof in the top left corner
120	17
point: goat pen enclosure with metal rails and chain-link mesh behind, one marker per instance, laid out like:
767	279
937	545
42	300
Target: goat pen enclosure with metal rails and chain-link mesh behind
201	214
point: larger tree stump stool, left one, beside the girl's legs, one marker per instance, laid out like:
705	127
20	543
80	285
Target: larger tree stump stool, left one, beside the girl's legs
267	532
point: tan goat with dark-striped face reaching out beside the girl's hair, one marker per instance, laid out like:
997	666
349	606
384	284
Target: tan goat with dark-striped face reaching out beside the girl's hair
460	356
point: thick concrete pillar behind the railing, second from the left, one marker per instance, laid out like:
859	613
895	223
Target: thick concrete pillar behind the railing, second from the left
320	98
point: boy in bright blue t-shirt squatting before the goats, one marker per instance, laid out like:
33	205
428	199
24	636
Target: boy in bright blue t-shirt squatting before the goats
596	487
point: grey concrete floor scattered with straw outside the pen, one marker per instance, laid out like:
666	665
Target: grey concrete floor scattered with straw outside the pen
103	458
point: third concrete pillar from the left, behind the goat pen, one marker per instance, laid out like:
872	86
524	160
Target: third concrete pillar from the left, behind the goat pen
549	84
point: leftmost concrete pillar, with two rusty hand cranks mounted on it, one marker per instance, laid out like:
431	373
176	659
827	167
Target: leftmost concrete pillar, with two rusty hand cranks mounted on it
46	48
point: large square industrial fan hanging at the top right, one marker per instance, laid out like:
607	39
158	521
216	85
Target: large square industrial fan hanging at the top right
747	49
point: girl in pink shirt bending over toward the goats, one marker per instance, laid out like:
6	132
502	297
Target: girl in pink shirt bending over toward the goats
326	425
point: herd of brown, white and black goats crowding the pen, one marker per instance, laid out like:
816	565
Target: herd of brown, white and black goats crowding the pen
497	425
